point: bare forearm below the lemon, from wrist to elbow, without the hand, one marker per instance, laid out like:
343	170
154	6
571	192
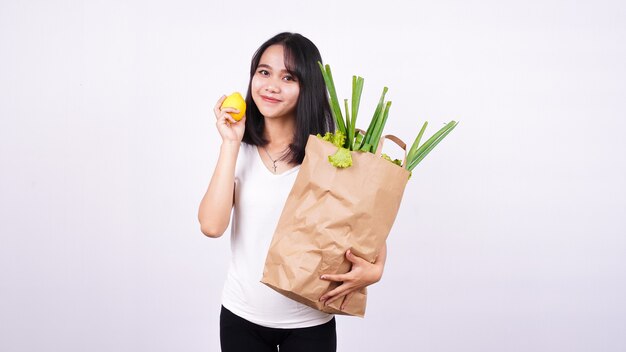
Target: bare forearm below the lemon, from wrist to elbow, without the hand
217	203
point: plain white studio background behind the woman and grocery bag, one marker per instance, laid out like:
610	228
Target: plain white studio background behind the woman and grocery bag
511	234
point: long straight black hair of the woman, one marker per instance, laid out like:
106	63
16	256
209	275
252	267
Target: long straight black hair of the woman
312	108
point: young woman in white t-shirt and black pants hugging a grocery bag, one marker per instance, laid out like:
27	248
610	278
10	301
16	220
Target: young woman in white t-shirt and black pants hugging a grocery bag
259	159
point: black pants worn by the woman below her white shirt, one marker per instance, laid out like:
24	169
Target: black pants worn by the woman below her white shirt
240	335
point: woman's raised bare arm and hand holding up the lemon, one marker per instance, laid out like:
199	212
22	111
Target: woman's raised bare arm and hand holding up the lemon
217	203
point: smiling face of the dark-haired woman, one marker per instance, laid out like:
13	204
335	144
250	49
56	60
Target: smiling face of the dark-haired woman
274	90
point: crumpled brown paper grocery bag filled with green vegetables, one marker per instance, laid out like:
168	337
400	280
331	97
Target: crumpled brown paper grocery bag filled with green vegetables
329	211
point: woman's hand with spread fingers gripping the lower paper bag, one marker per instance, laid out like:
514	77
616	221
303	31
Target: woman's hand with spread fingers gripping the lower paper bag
362	274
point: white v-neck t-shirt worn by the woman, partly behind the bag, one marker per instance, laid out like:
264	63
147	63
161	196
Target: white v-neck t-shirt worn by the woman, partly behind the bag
259	199
